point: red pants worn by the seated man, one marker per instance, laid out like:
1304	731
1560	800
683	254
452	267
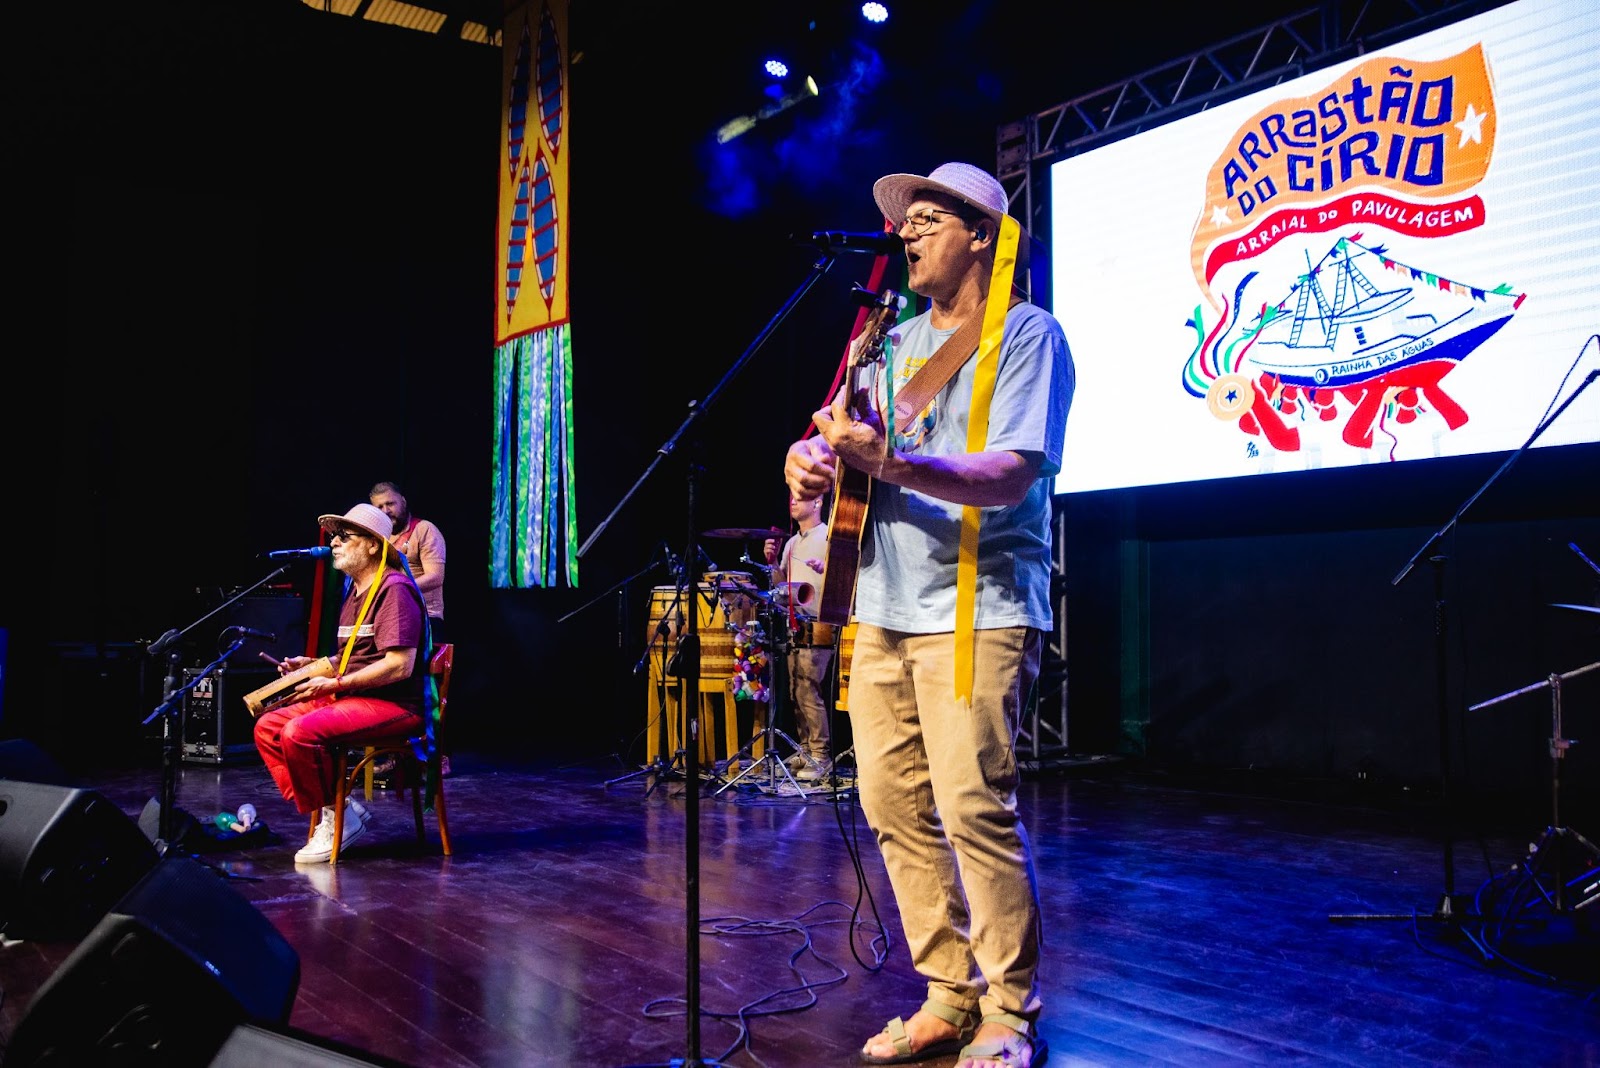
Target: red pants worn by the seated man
298	741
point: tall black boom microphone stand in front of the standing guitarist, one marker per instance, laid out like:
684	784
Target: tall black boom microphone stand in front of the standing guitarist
689	650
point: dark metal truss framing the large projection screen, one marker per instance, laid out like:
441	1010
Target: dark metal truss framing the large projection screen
1234	68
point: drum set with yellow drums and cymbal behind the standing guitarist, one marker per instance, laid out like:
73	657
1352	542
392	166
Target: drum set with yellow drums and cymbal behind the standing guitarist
745	637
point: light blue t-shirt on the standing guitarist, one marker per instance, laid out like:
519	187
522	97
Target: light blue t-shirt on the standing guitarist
913	541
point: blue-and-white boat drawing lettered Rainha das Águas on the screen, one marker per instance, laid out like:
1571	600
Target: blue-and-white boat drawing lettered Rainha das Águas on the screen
1337	327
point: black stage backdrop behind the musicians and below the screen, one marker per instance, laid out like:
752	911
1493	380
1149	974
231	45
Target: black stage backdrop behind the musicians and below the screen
257	274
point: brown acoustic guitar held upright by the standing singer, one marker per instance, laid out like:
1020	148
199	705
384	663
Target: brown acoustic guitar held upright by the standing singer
854	488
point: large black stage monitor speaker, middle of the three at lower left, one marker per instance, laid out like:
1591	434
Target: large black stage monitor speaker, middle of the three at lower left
162	981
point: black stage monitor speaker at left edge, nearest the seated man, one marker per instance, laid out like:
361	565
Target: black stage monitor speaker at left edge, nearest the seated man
66	858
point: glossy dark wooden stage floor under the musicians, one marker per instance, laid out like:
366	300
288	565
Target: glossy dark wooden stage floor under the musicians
1183	927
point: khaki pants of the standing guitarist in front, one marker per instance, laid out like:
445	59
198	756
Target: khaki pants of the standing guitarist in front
938	786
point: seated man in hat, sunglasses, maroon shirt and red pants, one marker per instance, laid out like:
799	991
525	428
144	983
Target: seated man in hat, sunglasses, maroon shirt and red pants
375	685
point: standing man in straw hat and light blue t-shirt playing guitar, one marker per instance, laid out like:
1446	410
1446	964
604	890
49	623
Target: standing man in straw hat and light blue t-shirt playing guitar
953	604
